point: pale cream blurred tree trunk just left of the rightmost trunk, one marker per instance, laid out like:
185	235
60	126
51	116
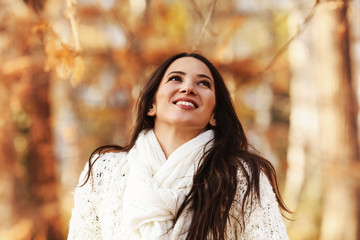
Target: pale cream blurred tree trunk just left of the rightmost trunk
304	180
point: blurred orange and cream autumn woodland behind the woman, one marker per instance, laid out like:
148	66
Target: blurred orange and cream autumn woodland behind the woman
71	72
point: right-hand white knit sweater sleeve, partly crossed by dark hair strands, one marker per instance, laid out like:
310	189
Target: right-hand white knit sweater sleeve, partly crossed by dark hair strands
263	220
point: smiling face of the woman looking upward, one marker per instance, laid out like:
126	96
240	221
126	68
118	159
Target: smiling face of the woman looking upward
186	96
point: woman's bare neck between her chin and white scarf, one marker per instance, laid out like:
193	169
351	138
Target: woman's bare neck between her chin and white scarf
171	138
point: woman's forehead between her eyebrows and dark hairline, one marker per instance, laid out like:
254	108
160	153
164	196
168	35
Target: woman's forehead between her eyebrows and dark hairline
189	65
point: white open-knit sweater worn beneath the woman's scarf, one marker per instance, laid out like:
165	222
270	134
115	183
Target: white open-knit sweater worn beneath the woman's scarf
98	206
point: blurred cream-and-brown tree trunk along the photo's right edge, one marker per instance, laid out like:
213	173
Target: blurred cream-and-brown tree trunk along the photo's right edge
338	117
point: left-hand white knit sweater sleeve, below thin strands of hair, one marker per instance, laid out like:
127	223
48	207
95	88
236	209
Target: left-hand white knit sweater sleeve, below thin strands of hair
84	222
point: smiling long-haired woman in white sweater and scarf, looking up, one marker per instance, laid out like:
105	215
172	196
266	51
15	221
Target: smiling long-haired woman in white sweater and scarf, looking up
187	172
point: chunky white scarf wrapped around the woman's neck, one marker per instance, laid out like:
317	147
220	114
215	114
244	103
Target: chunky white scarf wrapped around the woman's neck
156	186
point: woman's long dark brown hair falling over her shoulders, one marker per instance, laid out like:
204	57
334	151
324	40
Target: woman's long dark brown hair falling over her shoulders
215	181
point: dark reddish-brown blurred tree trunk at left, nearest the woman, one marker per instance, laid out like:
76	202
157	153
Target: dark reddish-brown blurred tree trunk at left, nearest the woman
43	185
